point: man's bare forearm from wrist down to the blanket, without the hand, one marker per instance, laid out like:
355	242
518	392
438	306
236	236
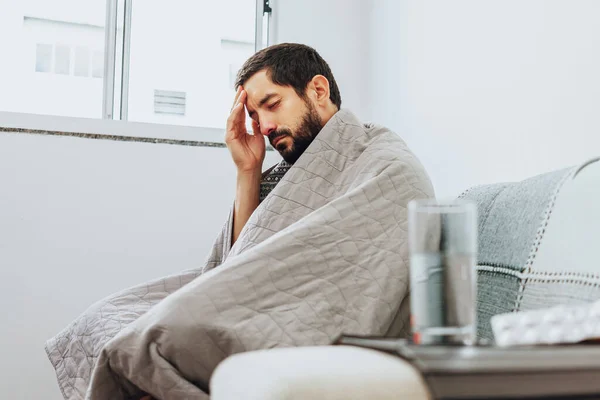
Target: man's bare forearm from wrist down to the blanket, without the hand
246	200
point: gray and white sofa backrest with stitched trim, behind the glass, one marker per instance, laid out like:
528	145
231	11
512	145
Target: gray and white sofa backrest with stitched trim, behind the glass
536	242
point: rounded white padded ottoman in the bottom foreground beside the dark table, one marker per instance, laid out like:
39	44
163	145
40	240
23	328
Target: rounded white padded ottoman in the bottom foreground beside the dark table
327	372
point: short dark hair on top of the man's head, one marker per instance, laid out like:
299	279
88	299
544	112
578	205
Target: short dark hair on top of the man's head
290	64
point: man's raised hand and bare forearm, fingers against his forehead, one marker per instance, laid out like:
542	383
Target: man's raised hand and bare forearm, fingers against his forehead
248	153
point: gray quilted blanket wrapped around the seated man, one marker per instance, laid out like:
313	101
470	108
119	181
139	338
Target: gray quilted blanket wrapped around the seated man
324	253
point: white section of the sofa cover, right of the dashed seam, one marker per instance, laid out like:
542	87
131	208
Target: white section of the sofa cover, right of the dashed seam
564	268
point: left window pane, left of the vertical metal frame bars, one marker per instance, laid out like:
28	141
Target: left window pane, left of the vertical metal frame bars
43	39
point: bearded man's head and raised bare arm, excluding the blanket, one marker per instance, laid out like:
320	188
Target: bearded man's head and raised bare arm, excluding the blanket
290	93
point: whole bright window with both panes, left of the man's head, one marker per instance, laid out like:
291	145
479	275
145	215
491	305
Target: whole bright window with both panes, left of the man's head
169	63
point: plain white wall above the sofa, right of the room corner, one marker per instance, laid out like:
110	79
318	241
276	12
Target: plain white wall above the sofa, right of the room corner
487	91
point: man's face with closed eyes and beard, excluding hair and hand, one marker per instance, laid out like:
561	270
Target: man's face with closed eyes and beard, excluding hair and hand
290	122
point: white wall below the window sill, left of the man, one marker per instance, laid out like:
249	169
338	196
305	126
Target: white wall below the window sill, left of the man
82	218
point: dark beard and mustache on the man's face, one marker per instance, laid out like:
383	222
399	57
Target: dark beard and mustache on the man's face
309	128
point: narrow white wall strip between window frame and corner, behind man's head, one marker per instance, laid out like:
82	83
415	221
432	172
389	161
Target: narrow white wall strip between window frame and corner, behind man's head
339	31
